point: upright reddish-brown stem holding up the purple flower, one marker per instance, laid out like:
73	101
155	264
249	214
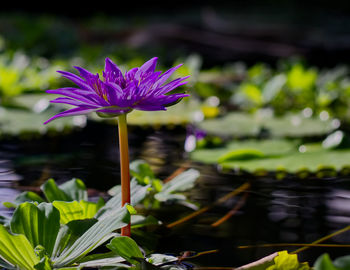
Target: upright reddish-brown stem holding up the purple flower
124	166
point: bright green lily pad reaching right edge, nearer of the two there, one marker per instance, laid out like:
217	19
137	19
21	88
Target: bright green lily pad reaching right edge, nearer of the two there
275	155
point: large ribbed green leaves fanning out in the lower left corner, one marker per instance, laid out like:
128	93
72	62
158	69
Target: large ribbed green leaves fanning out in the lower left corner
38	238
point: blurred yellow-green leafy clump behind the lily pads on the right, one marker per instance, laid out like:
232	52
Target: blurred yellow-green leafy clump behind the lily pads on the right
294	86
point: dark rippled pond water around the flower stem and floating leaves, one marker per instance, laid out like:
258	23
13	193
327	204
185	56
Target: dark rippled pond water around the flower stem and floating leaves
291	210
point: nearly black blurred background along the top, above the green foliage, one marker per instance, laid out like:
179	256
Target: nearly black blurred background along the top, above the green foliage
220	31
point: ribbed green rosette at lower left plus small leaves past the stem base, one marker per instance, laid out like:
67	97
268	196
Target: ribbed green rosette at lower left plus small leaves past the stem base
54	236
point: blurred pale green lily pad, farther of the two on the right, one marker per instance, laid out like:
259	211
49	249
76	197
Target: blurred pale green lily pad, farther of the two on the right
239	124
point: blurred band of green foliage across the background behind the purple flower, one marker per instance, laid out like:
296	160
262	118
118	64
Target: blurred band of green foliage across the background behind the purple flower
30	55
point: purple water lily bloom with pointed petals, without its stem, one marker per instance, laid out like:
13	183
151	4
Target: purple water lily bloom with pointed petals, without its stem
116	94
